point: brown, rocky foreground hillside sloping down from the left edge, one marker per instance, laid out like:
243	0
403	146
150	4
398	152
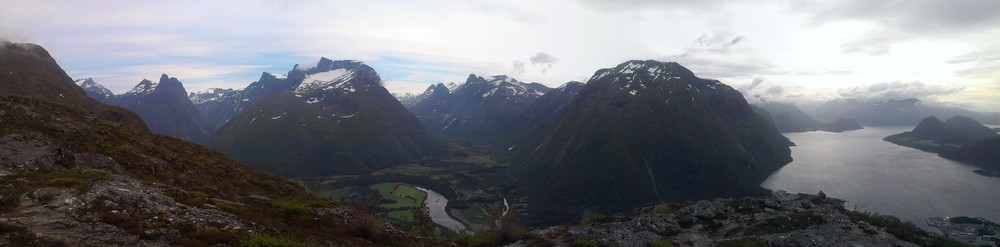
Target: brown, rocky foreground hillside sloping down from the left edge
75	176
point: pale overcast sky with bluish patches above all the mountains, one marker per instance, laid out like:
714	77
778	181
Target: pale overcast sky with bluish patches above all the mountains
940	51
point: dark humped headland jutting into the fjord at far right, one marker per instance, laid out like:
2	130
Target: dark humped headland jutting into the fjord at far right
933	135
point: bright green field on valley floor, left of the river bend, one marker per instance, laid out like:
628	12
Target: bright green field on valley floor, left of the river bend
404	197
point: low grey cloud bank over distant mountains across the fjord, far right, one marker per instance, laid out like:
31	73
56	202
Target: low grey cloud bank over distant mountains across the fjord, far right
897	90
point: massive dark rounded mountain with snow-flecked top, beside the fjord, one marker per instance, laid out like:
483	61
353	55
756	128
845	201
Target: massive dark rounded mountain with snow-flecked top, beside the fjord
648	131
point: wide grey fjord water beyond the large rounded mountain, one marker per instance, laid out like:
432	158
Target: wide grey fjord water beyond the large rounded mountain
878	176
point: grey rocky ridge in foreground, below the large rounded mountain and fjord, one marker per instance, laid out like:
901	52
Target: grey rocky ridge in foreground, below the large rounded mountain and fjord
779	220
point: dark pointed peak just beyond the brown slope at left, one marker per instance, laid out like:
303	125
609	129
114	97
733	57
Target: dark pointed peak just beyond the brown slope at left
165	106
